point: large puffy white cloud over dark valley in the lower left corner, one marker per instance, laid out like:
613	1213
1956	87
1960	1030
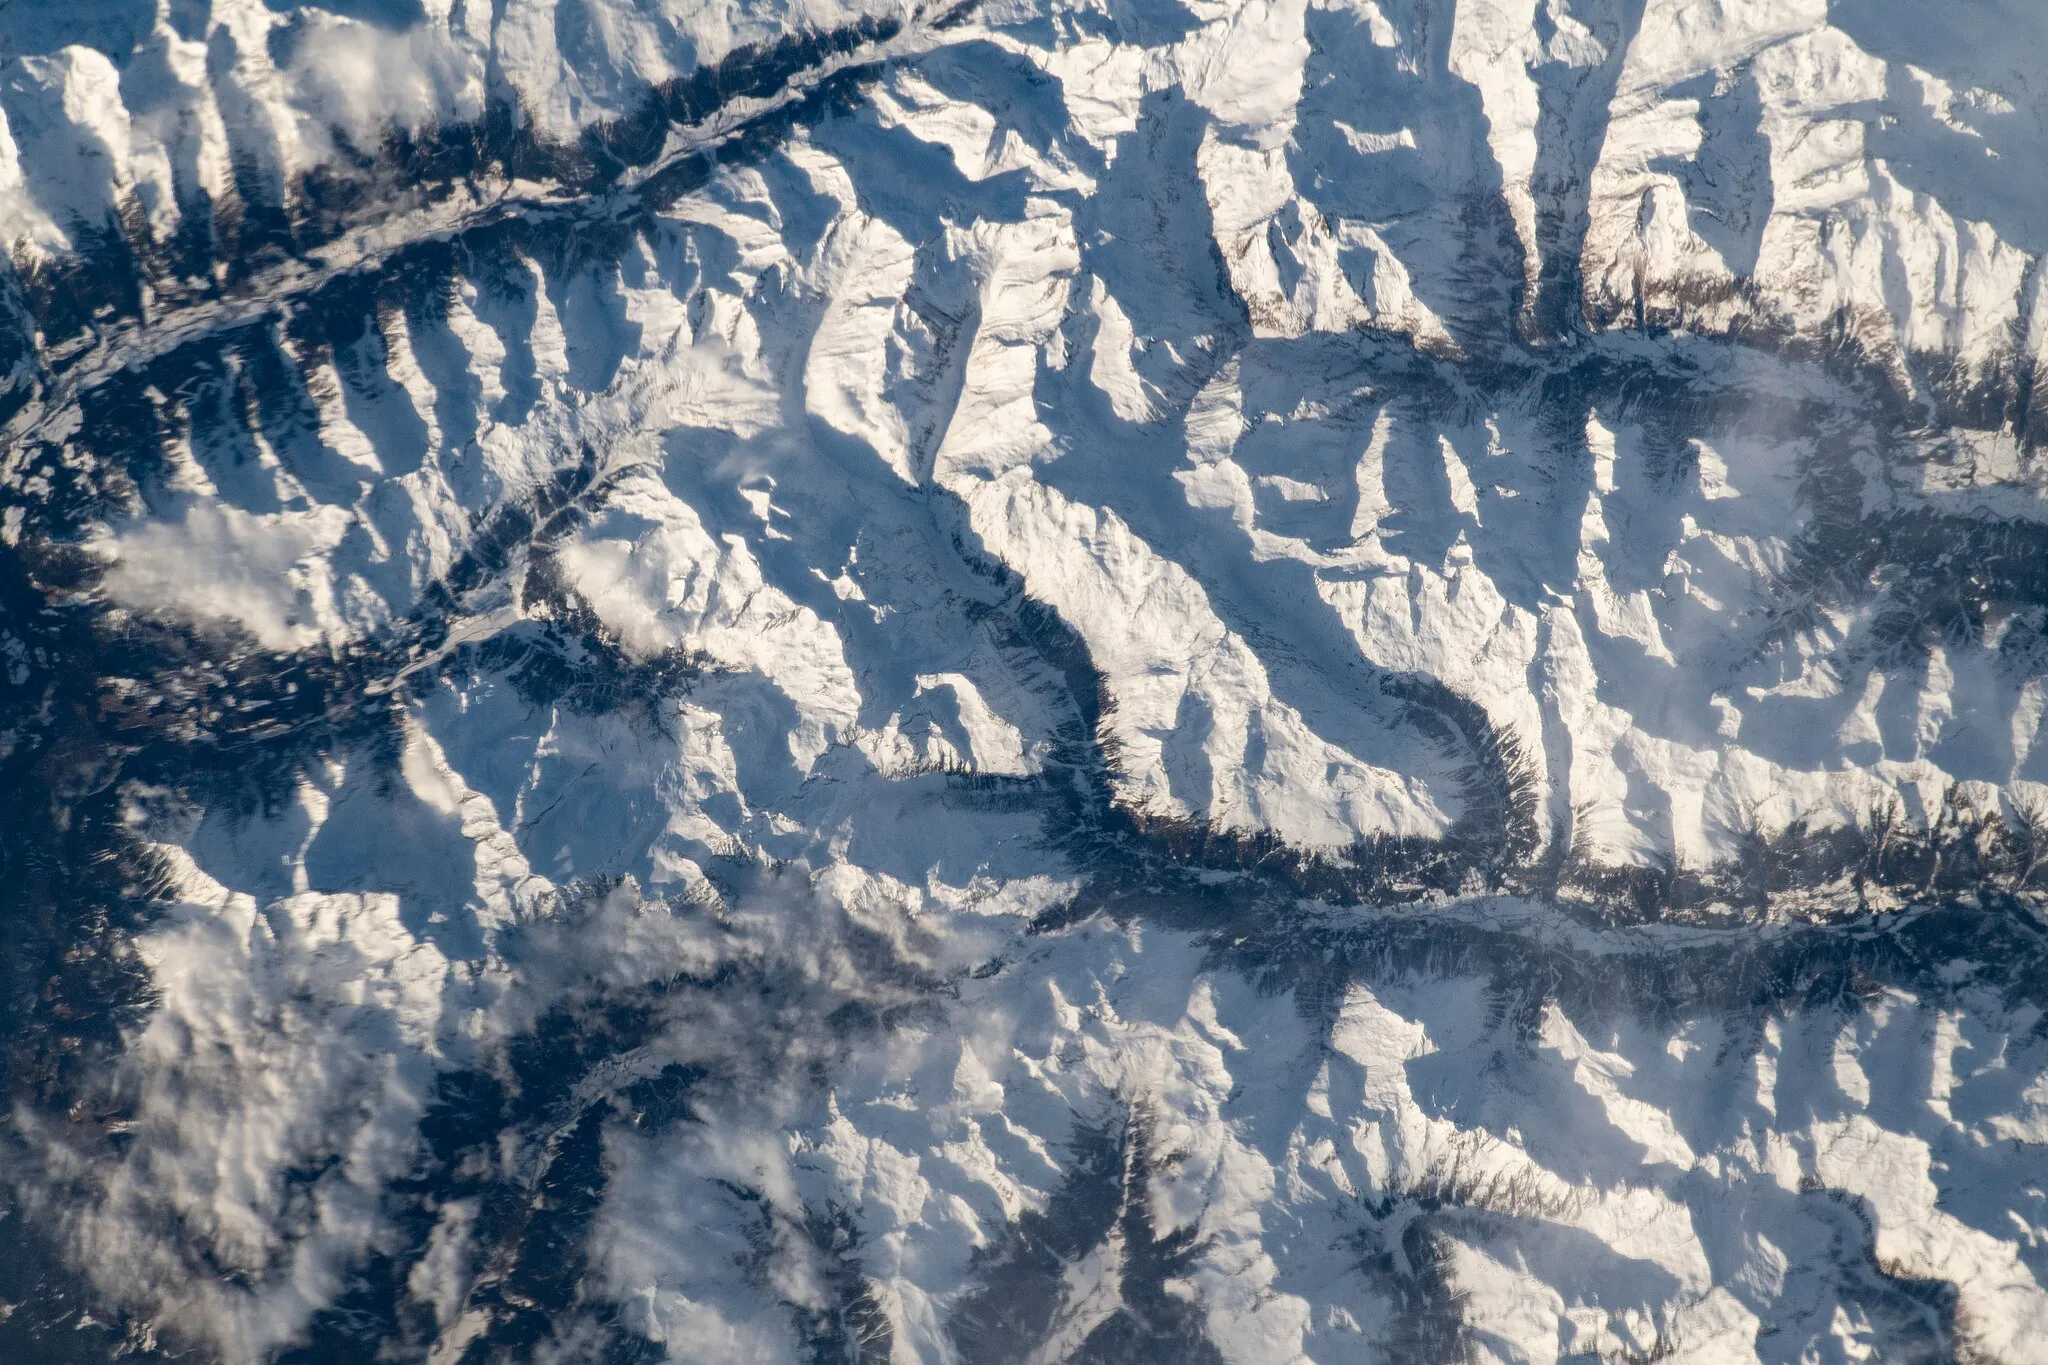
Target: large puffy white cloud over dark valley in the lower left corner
275	1094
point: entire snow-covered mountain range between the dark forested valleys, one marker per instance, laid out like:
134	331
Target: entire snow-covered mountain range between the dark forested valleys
1127	310
